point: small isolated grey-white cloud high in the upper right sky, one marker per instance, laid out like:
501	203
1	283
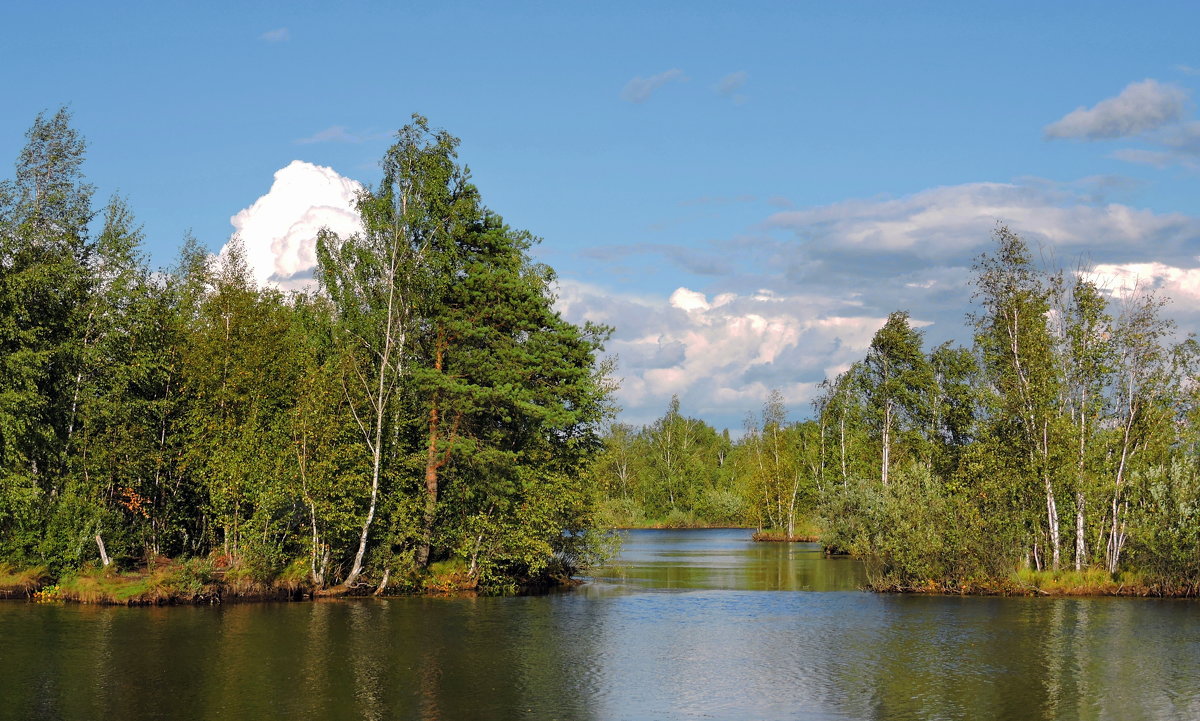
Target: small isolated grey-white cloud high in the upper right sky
1141	107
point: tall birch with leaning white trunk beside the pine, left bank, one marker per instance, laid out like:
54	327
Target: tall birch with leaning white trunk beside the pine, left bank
376	280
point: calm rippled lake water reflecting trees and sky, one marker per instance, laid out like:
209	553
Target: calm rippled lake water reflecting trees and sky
687	626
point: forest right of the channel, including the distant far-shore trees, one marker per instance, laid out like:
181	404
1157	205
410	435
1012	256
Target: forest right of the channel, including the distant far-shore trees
1065	441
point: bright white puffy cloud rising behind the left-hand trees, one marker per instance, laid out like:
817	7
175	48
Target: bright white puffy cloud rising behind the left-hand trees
280	230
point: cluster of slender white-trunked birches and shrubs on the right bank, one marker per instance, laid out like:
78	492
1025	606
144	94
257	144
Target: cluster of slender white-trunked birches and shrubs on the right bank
1066	438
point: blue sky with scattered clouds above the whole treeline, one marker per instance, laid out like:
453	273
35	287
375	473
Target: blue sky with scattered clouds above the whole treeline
745	193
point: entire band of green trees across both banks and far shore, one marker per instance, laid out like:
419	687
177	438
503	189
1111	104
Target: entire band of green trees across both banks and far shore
427	414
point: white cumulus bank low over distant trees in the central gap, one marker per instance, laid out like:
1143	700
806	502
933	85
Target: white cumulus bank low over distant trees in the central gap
723	355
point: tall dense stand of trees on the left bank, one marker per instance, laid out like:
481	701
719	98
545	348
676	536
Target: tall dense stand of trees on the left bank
425	407
